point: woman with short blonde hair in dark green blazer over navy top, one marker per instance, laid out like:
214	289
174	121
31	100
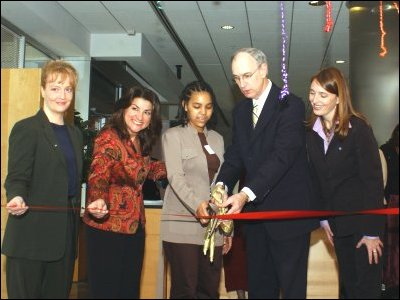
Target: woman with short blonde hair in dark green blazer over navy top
44	169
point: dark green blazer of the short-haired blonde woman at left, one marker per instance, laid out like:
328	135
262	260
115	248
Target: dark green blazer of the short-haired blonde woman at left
37	171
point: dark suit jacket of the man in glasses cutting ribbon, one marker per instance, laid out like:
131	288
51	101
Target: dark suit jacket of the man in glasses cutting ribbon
273	156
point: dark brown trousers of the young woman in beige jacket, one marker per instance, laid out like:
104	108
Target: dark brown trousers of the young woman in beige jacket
193	276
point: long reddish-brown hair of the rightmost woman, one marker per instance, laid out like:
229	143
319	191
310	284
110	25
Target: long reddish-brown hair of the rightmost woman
333	81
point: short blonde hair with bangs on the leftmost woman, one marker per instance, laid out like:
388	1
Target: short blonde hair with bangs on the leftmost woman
53	68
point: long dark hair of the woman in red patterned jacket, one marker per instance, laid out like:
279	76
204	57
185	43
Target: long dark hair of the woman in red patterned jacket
147	136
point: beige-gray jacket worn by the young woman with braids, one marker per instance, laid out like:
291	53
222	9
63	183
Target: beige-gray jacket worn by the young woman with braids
188	183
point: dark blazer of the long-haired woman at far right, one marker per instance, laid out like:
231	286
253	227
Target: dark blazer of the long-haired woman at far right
349	177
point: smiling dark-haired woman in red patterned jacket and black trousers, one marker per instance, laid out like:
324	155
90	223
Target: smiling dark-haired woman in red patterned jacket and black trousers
115	211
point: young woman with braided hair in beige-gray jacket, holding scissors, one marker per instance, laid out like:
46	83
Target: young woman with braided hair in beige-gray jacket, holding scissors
193	154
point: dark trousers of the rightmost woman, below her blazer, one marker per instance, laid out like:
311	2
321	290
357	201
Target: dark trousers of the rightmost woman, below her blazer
359	279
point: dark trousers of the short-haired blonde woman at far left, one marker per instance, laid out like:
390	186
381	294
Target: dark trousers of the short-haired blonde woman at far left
34	279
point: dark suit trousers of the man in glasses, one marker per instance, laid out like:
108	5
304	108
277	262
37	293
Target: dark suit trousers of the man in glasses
276	267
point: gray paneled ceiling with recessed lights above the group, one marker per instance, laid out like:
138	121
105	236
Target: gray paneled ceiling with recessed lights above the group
66	28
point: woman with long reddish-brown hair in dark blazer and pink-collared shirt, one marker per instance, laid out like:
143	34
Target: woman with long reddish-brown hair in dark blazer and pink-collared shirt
347	174
